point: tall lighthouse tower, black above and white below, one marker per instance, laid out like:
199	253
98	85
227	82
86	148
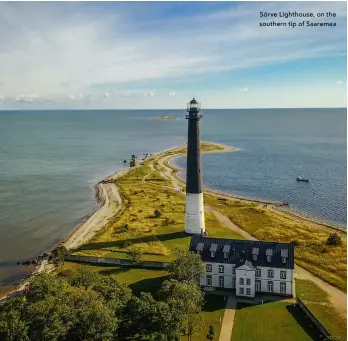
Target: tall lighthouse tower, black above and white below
194	216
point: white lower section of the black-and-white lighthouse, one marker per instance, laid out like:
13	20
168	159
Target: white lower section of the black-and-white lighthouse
194	217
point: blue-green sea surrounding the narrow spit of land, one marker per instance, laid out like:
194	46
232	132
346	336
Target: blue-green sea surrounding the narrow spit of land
51	160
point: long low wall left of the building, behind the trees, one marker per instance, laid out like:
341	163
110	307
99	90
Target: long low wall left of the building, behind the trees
116	261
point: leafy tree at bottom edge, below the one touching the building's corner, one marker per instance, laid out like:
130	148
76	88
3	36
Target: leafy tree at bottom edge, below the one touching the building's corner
185	298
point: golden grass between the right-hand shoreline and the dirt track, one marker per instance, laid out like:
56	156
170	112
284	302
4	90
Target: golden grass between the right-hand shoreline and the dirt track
312	253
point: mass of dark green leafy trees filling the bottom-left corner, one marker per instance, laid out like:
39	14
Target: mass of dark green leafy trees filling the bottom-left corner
84	305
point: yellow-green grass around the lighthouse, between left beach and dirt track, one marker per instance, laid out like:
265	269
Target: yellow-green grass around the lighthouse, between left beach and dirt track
158	239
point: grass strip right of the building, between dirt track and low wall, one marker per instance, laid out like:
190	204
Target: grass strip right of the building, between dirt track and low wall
319	304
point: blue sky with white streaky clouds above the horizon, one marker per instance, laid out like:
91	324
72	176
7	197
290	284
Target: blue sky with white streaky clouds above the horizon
157	55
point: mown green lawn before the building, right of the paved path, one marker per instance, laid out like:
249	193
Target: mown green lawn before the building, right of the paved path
274	321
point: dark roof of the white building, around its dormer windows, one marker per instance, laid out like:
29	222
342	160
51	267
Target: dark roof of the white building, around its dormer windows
242	250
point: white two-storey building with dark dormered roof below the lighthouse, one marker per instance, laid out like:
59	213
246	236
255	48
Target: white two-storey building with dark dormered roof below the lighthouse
248	267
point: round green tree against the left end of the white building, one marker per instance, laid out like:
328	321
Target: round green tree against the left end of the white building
187	267
